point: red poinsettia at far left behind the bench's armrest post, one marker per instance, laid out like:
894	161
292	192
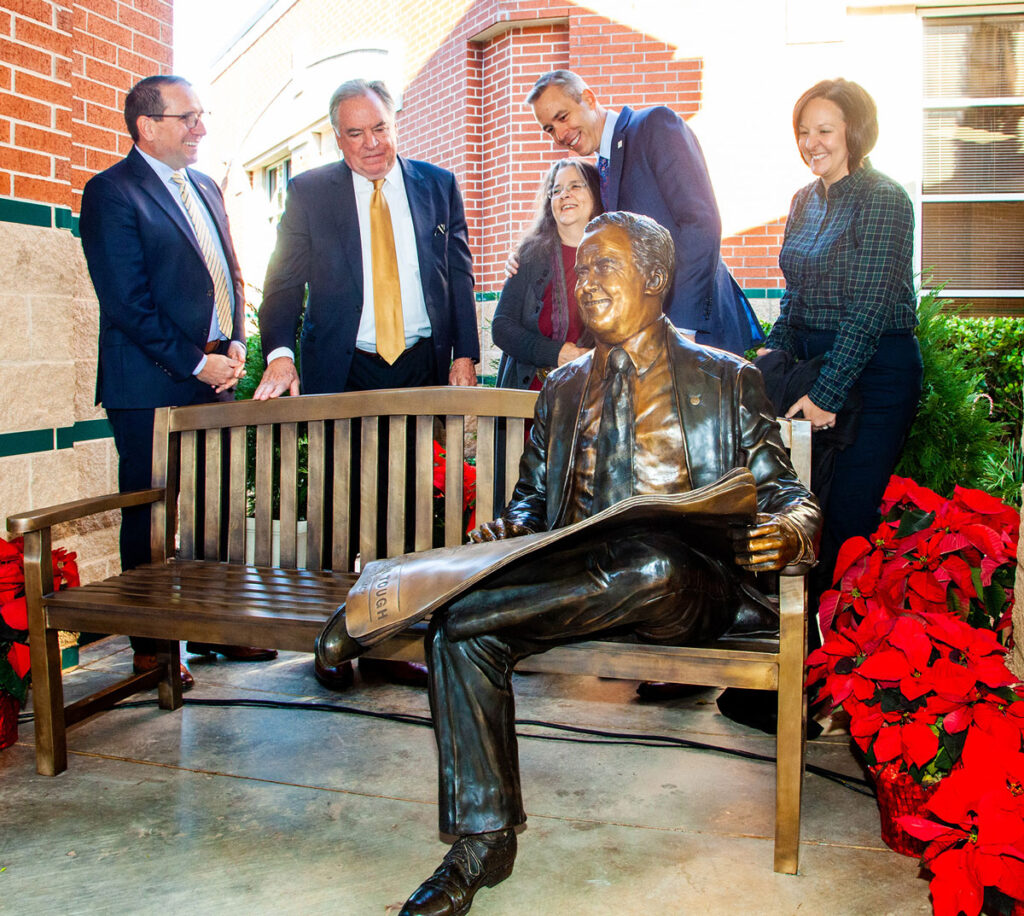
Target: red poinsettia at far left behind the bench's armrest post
15	668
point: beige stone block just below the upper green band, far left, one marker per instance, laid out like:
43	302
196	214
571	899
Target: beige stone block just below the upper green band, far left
37	261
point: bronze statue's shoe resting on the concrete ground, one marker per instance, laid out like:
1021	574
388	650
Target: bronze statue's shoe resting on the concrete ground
481	860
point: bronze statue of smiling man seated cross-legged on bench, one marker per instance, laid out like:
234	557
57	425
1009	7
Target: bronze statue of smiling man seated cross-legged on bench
646	413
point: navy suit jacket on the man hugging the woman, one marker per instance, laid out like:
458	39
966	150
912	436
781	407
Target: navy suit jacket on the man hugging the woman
658	170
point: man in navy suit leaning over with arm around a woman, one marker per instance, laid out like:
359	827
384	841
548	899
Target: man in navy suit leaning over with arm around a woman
652	164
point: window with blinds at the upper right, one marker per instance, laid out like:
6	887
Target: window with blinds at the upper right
973	186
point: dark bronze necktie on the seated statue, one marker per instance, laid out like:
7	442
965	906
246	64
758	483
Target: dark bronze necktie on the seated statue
614	462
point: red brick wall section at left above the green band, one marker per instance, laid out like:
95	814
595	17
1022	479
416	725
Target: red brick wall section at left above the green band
66	70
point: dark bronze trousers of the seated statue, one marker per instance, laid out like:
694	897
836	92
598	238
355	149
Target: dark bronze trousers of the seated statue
639	585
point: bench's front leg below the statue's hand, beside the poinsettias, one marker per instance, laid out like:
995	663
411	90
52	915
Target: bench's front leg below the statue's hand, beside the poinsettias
791	736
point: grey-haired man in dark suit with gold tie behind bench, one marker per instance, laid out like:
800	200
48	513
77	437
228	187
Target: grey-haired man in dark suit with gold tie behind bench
380	245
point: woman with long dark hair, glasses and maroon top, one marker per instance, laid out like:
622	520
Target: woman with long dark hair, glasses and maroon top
537	324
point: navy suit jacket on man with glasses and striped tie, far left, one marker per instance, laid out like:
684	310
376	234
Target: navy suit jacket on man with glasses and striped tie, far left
156	294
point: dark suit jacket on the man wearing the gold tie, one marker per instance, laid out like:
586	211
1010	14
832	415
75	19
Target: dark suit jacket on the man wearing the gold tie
319	248
